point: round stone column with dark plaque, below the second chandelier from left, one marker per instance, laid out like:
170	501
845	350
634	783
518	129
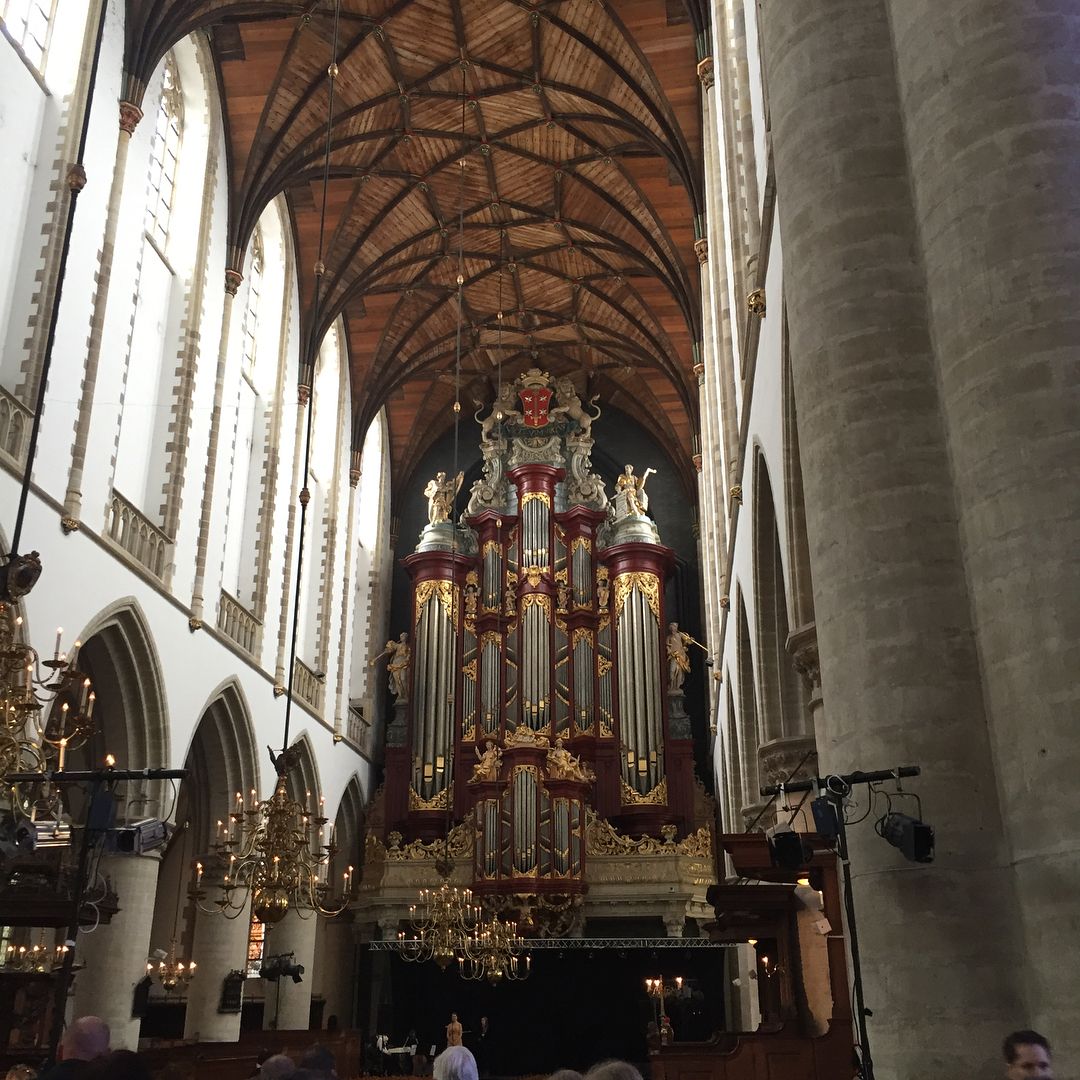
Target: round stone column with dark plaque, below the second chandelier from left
221	947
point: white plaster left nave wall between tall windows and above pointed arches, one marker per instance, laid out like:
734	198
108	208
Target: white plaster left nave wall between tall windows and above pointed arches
84	574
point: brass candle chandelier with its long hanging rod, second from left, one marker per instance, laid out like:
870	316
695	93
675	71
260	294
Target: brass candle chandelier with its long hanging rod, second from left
273	852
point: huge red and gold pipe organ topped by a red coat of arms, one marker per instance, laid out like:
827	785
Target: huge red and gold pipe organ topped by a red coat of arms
539	685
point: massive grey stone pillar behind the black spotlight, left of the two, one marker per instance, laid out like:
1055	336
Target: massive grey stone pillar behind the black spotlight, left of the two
899	664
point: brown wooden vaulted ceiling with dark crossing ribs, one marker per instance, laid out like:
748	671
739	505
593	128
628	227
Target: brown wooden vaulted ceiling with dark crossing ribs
548	153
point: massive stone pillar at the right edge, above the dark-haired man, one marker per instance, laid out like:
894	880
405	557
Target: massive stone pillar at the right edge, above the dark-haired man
992	110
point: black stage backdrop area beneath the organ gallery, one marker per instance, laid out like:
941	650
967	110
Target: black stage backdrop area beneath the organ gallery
577	1007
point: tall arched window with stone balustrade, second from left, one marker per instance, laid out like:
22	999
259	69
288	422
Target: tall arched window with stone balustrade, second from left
169	238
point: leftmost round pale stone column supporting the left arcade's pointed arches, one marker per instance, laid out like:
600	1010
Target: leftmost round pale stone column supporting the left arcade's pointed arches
115	954
